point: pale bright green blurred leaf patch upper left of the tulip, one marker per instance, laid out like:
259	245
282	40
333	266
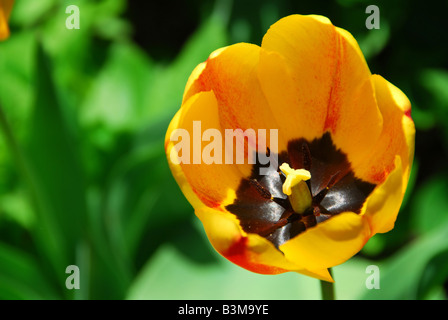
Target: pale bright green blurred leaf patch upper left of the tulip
116	99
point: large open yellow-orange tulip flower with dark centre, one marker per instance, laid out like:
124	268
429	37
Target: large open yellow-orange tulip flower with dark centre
345	145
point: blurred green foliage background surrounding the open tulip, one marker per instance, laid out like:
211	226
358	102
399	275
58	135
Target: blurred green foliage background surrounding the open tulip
83	175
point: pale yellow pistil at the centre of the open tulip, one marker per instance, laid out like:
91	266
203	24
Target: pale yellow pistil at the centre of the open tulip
296	188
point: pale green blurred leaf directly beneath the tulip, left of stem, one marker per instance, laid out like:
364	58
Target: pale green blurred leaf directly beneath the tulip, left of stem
169	275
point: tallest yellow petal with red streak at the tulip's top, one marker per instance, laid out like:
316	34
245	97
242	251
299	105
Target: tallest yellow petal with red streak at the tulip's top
321	84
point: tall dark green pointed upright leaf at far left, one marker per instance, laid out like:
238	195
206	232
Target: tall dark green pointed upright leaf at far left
57	181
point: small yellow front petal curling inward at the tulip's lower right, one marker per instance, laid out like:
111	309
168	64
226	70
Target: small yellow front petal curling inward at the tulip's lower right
330	243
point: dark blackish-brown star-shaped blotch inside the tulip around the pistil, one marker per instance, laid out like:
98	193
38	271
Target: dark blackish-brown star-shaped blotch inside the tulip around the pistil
263	208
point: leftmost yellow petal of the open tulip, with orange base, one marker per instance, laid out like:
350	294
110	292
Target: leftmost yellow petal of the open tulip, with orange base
203	184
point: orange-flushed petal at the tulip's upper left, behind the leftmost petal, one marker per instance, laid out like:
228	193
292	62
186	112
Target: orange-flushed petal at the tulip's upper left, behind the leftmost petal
231	73
